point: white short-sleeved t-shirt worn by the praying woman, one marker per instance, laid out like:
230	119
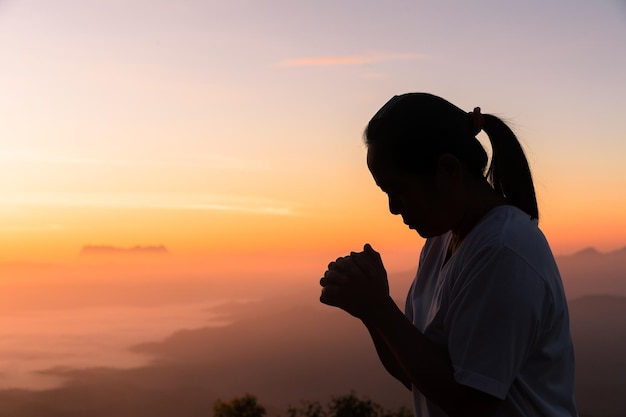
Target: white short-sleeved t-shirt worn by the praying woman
498	307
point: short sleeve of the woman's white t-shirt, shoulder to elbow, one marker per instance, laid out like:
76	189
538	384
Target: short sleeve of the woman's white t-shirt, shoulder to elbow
494	319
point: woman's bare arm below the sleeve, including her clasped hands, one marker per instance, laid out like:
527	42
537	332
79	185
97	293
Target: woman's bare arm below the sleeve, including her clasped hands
358	285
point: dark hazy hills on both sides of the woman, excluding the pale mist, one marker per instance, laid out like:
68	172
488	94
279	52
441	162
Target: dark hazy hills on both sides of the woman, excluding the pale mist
290	348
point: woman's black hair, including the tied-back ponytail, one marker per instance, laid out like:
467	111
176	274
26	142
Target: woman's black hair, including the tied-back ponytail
415	129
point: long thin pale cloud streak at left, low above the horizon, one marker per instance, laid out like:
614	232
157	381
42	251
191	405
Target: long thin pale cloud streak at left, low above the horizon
238	204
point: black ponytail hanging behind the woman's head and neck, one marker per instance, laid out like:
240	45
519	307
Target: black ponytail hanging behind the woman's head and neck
509	173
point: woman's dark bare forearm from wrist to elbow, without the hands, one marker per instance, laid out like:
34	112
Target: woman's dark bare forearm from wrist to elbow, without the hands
426	365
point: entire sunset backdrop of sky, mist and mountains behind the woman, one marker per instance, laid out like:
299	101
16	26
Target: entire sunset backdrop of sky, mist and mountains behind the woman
229	136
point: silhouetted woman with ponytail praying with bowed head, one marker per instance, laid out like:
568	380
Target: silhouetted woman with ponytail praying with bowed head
485	330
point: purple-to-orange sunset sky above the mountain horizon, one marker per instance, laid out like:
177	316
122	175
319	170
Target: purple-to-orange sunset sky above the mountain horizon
219	128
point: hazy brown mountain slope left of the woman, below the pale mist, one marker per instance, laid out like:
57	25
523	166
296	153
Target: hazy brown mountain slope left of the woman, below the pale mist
281	350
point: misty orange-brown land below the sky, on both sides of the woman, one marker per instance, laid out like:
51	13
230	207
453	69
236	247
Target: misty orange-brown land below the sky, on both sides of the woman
150	337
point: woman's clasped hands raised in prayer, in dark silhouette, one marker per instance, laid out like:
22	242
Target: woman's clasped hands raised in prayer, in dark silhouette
356	283
